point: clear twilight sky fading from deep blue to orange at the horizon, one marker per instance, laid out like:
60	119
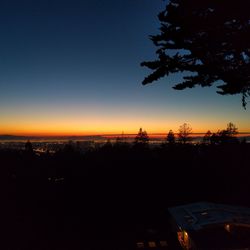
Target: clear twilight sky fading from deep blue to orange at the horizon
72	67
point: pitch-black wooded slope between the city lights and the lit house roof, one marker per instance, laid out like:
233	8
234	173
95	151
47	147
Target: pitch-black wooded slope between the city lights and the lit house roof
63	200
